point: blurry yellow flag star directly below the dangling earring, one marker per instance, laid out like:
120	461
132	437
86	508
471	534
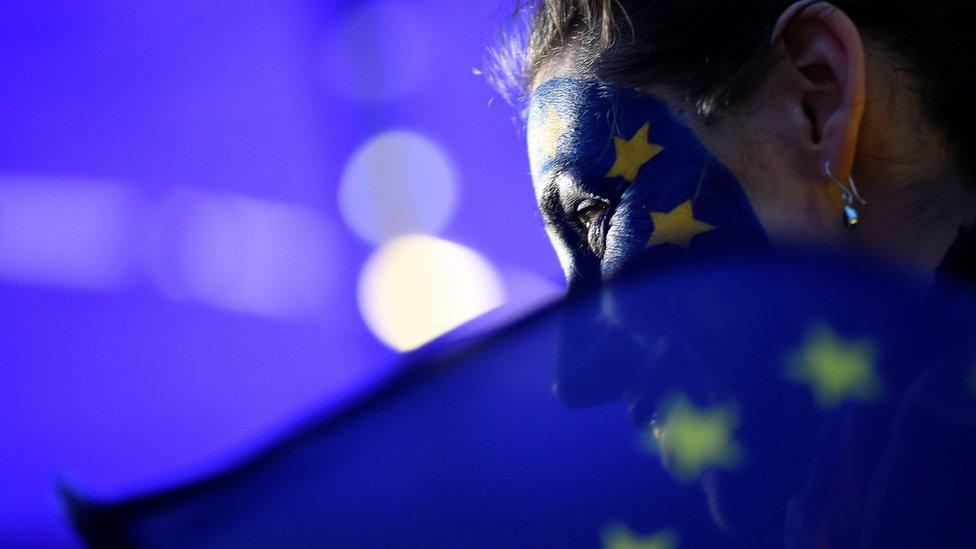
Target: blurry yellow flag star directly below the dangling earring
835	369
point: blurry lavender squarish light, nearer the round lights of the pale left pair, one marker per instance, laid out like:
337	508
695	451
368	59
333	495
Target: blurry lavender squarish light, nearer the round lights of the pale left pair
243	254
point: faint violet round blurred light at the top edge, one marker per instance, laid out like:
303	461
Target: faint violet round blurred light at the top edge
377	51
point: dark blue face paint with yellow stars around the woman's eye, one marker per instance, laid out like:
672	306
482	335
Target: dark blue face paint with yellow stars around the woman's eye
619	176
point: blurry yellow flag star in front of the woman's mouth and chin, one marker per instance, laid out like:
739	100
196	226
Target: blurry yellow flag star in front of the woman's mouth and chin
691	439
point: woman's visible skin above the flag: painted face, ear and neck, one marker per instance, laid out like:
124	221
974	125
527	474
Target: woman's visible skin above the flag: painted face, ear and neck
619	174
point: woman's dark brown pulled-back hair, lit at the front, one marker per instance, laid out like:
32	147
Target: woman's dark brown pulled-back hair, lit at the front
713	51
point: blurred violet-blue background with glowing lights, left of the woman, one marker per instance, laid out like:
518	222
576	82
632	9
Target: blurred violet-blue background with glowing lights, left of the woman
218	218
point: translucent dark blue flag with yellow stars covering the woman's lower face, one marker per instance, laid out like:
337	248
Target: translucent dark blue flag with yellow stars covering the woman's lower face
800	401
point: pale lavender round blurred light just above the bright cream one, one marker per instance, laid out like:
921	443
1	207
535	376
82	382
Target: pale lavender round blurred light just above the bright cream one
397	183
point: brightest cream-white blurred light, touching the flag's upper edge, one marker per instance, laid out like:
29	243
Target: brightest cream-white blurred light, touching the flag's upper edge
416	287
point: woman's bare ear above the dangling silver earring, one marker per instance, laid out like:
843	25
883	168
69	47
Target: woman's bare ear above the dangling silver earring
827	65
